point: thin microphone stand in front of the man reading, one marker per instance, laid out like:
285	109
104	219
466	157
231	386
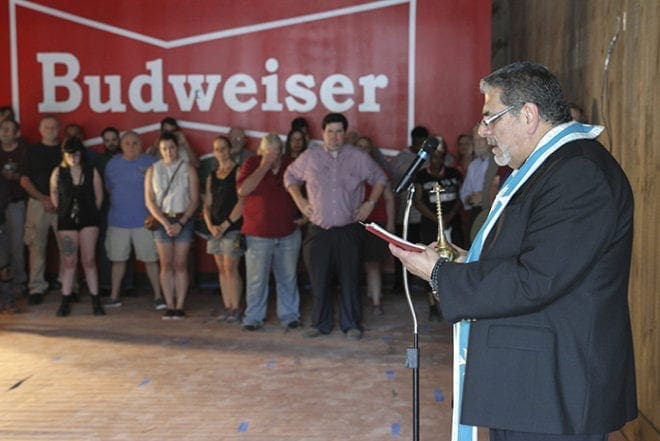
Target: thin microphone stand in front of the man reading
412	353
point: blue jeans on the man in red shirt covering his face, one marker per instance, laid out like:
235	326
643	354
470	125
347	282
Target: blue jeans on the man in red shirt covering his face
282	255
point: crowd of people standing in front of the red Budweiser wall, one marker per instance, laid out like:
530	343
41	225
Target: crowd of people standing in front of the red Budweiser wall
292	198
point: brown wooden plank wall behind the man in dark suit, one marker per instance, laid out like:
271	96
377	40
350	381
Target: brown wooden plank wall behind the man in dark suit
574	38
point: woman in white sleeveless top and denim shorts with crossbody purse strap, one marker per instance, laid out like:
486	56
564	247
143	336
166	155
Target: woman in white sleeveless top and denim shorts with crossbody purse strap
171	194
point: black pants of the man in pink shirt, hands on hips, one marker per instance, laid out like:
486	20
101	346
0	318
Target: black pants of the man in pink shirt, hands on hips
336	249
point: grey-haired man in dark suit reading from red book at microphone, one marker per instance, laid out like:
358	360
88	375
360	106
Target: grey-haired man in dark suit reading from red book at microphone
545	284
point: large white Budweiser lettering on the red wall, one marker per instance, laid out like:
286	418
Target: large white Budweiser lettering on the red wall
145	91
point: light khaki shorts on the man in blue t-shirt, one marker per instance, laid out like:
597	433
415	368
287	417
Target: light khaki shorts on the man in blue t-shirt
118	243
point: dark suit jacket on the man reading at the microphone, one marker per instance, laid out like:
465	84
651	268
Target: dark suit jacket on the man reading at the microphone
551	348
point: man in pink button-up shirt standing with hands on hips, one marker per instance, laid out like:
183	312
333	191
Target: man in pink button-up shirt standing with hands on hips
334	177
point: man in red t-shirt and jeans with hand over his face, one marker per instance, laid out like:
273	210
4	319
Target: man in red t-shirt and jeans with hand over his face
272	235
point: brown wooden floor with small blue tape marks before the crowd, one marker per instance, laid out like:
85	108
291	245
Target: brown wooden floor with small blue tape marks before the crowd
132	376
